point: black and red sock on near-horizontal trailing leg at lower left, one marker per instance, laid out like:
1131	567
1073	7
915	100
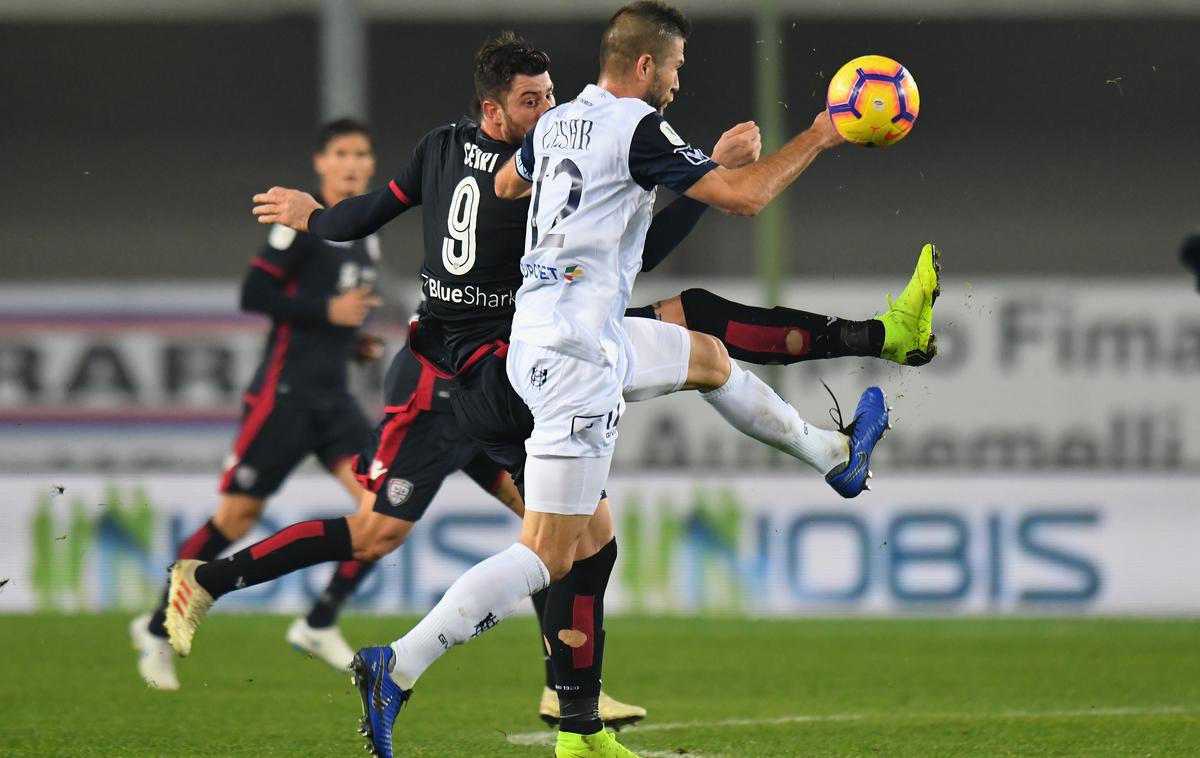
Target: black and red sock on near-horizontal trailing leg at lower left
296	548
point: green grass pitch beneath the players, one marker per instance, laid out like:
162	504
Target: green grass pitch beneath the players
716	689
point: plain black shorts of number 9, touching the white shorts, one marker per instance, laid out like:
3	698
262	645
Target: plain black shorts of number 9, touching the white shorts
485	402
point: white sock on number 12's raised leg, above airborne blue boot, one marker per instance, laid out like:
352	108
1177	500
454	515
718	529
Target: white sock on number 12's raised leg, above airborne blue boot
753	408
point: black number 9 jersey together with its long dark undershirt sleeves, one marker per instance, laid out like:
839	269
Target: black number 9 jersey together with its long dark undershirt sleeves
473	240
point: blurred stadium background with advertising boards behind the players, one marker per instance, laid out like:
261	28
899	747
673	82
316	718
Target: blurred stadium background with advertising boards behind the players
1047	464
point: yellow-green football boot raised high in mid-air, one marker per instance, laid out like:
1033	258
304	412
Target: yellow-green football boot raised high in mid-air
909	322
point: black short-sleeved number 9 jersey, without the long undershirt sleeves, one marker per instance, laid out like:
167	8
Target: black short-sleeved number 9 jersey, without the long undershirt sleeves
473	243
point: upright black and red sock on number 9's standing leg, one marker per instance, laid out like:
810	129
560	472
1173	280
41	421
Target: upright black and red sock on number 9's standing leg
574	630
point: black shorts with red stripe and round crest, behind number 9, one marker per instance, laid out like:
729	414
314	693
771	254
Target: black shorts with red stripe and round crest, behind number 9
412	453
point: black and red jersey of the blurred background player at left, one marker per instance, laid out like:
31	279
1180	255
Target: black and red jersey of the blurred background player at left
292	280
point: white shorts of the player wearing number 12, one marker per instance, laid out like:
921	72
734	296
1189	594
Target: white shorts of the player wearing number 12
577	406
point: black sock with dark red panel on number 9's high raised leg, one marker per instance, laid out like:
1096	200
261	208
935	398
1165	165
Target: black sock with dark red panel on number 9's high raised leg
778	335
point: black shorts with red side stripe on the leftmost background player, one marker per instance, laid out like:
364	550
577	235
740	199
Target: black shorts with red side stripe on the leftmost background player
278	437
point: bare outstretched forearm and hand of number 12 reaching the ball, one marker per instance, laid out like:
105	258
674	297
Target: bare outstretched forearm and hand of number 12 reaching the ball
746	191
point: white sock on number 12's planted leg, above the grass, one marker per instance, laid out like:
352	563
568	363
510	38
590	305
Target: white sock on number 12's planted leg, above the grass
475	604
